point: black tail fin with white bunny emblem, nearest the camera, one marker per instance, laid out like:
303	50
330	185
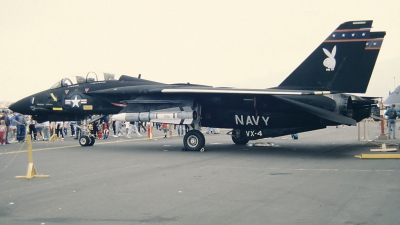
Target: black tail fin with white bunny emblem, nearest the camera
334	61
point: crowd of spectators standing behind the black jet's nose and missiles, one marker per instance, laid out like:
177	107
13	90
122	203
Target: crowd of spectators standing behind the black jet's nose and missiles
14	127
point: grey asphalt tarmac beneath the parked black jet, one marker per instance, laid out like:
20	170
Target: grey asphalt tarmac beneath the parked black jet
313	180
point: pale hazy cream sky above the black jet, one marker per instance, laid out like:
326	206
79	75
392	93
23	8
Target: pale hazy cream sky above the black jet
248	44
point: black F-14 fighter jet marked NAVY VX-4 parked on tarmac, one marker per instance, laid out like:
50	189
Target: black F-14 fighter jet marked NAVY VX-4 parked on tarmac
315	95
